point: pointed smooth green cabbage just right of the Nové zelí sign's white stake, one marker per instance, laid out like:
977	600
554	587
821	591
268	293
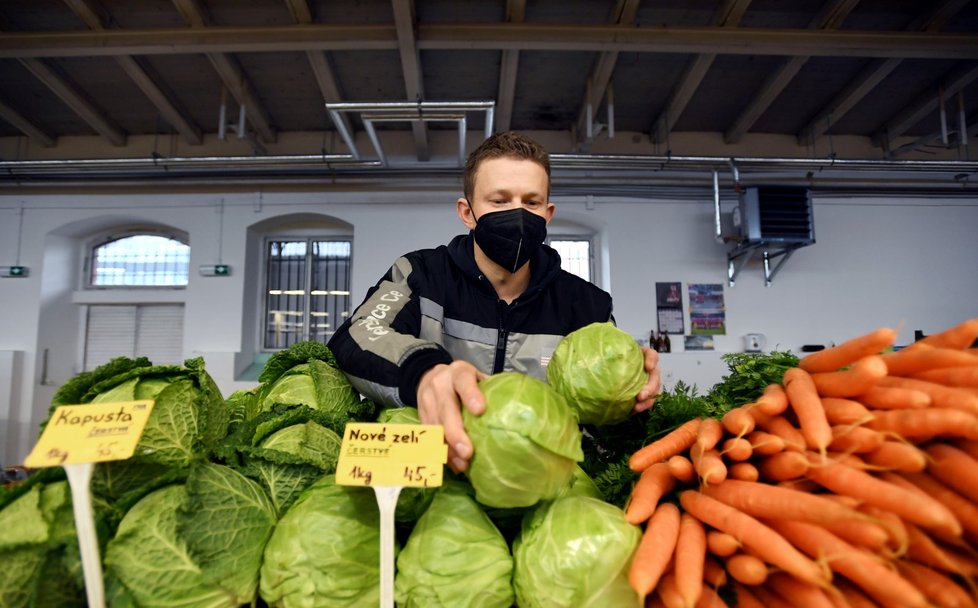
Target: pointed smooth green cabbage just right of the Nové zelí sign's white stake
454	556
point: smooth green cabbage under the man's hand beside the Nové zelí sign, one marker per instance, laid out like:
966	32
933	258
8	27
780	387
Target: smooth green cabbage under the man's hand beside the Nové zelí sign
527	442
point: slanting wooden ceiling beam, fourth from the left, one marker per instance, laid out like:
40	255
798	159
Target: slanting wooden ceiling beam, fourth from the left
230	72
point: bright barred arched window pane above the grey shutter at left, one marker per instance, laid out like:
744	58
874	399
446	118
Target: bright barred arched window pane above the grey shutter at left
140	260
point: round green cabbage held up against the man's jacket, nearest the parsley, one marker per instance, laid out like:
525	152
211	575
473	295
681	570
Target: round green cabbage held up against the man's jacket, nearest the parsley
599	369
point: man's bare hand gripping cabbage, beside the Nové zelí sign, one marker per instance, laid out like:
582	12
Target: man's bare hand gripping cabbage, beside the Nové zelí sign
441	392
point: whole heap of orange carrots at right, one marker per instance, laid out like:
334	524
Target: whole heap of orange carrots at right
854	482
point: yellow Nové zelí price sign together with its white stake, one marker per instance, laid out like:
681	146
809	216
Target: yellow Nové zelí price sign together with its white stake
389	457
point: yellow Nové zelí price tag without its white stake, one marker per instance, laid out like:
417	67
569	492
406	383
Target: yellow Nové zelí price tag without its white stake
380	454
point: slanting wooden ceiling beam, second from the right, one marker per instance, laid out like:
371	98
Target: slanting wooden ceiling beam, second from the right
871	75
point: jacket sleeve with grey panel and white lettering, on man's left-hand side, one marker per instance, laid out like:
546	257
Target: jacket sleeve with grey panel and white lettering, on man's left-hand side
378	347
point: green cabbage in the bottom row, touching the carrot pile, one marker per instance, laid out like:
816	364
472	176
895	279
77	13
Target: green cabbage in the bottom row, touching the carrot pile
575	552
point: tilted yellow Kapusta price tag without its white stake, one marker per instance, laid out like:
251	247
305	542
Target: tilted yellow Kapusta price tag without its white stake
94	432
